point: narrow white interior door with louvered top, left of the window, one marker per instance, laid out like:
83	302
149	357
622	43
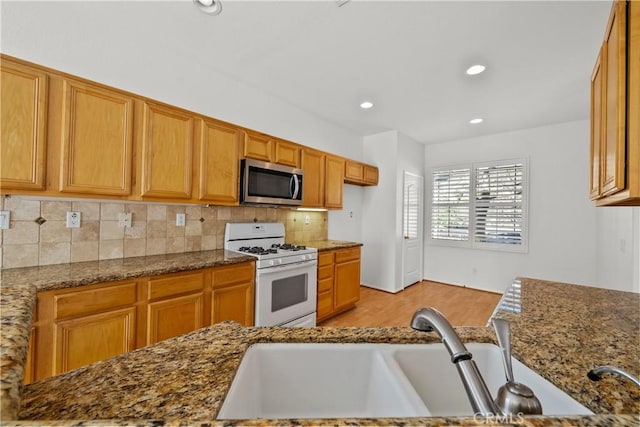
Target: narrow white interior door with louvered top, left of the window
412	222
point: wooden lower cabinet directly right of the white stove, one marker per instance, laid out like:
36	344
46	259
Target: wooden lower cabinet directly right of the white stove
338	281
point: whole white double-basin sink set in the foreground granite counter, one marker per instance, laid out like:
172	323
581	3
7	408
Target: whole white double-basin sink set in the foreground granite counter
370	381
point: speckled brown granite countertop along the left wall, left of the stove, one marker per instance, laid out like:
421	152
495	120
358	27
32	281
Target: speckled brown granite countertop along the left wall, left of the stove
19	286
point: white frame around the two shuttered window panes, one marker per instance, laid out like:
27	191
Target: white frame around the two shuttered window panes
470	243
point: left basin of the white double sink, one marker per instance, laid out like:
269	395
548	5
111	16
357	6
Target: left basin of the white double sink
319	381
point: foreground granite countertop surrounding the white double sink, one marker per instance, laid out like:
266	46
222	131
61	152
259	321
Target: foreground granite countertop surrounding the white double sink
559	330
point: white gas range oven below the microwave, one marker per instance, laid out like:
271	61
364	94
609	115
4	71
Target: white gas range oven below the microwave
286	275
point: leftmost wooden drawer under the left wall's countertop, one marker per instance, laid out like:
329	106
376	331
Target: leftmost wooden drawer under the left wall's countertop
94	300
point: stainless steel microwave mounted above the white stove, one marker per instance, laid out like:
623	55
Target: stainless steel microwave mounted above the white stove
269	183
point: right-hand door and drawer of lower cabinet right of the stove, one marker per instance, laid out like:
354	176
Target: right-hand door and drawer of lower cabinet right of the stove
347	278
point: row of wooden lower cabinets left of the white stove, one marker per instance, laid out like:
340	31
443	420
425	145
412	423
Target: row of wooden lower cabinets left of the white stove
77	326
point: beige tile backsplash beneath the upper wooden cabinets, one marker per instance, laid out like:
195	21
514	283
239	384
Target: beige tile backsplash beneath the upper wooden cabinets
38	234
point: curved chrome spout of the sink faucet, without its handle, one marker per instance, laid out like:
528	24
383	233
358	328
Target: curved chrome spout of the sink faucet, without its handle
429	319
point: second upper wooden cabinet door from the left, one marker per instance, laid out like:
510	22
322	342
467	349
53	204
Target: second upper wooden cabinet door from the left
97	140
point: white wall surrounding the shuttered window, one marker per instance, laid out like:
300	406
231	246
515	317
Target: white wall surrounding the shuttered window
562	220
